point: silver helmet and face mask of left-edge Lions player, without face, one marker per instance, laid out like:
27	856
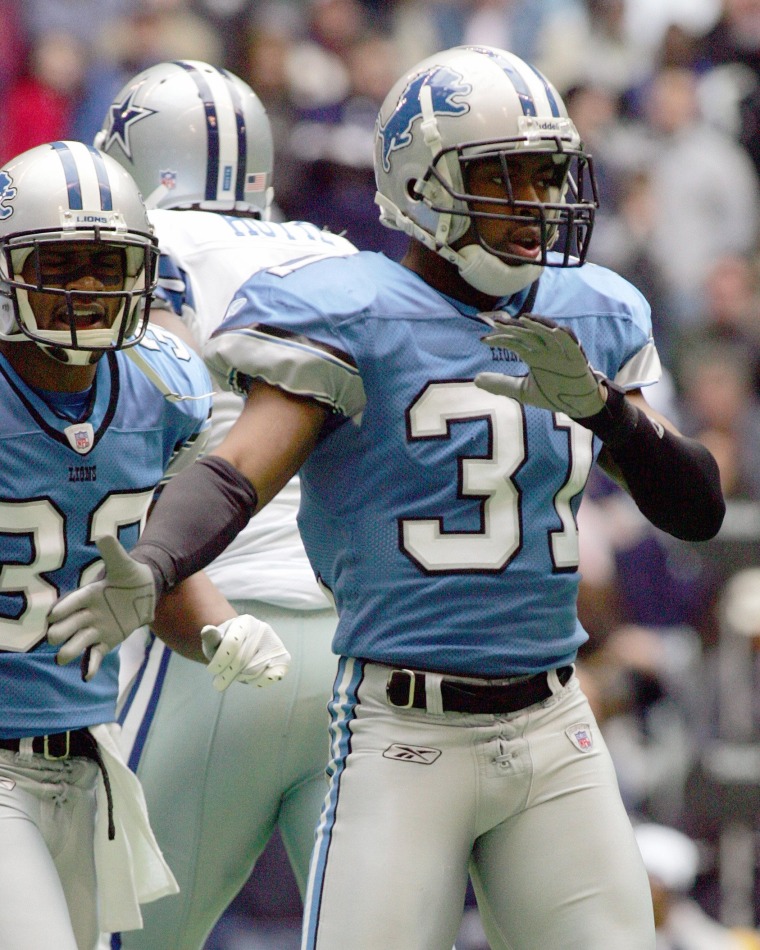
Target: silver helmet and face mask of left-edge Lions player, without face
71	192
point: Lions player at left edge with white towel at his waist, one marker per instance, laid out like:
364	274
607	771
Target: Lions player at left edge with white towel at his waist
96	412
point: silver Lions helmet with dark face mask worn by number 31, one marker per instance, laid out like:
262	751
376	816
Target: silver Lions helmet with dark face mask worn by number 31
475	103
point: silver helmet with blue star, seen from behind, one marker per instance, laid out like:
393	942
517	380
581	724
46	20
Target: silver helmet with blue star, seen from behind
192	136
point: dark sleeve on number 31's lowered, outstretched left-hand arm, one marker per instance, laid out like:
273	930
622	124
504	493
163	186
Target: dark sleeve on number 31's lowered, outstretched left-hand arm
197	515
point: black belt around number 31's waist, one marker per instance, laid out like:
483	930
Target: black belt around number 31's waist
406	689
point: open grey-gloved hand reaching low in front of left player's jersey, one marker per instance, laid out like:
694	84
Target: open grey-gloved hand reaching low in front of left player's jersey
96	618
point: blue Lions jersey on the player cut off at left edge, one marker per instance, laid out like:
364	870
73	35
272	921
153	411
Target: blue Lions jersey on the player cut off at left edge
62	485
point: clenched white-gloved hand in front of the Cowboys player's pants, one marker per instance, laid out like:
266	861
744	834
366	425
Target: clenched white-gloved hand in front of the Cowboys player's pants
244	649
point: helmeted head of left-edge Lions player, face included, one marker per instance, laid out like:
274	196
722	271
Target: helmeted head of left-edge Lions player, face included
75	245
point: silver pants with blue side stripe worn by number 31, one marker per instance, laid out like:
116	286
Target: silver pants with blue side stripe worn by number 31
526	803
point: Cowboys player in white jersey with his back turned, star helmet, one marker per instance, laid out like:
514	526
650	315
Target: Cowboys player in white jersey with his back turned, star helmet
197	141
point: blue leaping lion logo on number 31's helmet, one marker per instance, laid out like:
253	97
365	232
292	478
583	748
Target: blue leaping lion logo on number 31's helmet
447	88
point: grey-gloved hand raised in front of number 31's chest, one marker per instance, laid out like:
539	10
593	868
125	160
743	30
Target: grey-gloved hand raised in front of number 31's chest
560	377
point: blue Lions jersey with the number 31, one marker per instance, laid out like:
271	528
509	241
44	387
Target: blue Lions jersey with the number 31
441	517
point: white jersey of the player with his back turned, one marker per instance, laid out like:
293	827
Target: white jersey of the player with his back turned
206	256
